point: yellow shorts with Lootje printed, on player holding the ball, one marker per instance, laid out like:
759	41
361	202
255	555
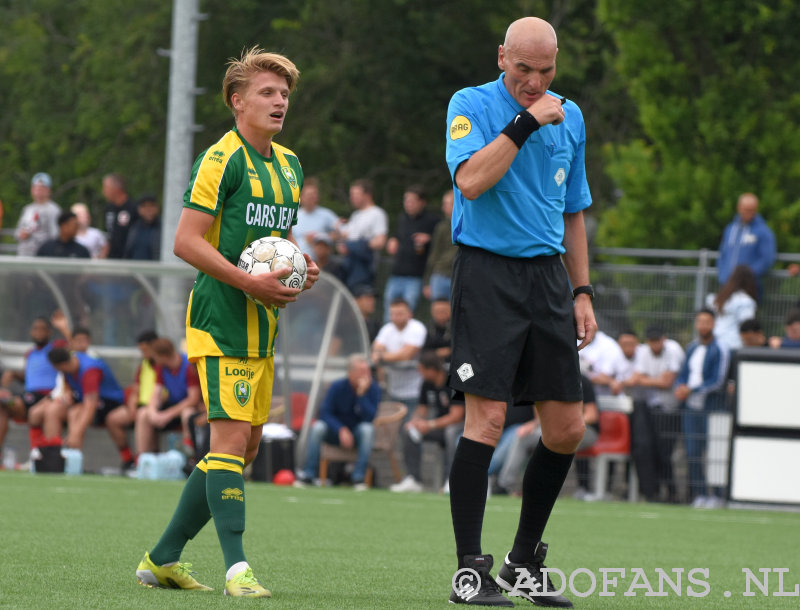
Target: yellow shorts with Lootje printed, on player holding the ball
237	388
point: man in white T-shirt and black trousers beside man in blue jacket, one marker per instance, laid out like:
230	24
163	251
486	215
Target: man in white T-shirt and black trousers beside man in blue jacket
656	420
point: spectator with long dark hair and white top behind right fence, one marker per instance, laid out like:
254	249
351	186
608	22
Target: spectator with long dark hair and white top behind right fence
733	304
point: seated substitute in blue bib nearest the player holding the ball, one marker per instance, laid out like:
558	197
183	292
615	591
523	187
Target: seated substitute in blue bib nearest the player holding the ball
173	400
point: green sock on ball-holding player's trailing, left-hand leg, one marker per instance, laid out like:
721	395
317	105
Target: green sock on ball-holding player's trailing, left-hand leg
190	516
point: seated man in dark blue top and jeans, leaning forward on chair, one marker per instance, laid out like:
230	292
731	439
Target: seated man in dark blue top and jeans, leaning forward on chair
345	419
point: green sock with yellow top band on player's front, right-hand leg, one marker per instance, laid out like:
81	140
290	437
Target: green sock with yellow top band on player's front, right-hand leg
225	493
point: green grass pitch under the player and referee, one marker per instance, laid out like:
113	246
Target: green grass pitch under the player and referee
74	542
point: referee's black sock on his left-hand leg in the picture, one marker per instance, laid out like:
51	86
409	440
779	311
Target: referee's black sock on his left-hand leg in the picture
469	481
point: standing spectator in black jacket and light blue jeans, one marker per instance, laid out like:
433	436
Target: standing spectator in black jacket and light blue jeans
409	249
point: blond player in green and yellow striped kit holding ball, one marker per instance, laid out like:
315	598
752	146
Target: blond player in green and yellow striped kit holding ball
242	188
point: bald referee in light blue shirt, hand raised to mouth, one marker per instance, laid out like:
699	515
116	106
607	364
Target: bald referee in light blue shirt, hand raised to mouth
516	154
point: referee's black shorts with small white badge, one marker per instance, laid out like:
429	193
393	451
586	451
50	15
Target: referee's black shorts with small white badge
513	329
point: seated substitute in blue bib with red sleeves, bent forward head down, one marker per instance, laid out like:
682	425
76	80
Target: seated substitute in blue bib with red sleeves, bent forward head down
97	399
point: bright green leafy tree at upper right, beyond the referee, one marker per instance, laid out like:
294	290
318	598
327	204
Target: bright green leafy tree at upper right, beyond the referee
714	87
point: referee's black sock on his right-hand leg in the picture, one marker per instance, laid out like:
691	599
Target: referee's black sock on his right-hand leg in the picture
541	484
